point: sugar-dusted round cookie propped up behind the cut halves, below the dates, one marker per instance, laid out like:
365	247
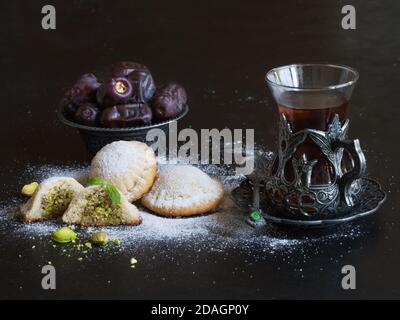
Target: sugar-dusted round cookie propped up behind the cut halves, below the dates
130	165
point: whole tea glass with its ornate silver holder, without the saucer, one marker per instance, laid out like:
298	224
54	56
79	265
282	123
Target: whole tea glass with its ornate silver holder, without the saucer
316	168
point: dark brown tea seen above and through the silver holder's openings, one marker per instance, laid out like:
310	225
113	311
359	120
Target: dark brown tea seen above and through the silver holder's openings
313	110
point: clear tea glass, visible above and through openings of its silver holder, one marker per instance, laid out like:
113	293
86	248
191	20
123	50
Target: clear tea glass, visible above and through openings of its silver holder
309	95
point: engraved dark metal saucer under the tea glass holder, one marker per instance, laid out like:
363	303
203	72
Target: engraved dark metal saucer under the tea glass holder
371	197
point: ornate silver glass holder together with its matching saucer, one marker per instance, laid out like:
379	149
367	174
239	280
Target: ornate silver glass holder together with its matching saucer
297	201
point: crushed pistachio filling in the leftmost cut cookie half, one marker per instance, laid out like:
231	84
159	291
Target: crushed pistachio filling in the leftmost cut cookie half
56	201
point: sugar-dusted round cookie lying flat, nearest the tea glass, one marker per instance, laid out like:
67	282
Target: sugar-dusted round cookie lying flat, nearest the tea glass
183	190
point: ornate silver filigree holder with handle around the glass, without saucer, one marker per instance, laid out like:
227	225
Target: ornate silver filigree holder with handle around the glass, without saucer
298	197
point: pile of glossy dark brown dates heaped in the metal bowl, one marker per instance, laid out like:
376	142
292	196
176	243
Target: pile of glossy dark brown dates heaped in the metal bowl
126	98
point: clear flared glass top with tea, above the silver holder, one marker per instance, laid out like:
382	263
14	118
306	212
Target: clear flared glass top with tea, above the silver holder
310	94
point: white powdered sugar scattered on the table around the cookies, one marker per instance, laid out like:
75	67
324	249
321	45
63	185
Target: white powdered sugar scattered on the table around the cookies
219	231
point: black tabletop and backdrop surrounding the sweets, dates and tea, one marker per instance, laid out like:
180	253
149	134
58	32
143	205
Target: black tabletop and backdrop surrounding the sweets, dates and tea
220	51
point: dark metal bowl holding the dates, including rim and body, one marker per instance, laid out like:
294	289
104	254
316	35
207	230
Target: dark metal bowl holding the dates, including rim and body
96	137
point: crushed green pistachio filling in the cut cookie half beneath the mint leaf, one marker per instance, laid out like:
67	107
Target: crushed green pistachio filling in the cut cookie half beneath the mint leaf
100	209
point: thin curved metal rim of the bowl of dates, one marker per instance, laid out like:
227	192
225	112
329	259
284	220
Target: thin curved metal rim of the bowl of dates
75	125
